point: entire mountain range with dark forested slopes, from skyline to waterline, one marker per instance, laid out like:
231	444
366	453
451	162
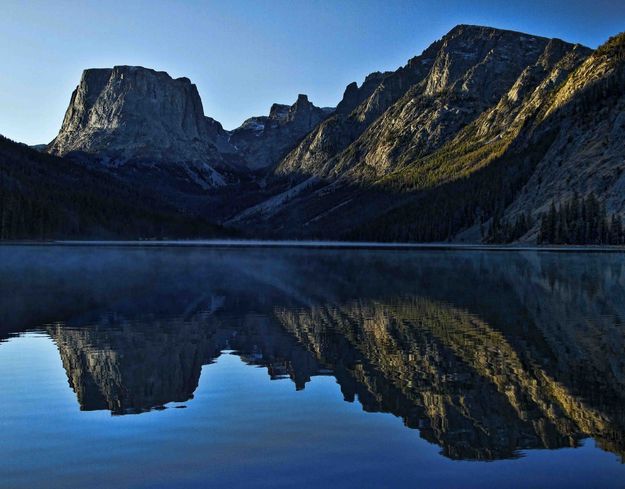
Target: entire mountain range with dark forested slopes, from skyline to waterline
487	136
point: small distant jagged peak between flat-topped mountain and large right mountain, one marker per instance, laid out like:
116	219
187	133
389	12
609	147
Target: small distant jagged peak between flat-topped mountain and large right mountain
263	141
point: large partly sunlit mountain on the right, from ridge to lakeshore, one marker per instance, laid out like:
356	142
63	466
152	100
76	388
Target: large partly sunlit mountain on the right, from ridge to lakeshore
502	126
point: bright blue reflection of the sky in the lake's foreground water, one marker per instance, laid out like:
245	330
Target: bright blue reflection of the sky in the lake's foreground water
240	430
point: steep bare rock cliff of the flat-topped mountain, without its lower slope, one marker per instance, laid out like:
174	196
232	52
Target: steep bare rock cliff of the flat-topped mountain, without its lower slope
133	114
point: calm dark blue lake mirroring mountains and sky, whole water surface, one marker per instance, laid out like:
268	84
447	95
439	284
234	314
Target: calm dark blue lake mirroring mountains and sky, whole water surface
213	367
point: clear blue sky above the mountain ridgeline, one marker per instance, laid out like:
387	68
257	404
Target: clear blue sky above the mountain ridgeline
244	55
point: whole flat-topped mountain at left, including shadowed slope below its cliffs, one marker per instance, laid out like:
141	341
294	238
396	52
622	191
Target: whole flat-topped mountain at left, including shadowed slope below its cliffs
149	129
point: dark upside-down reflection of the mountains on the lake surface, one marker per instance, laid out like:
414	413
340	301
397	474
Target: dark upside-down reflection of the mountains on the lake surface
486	354
